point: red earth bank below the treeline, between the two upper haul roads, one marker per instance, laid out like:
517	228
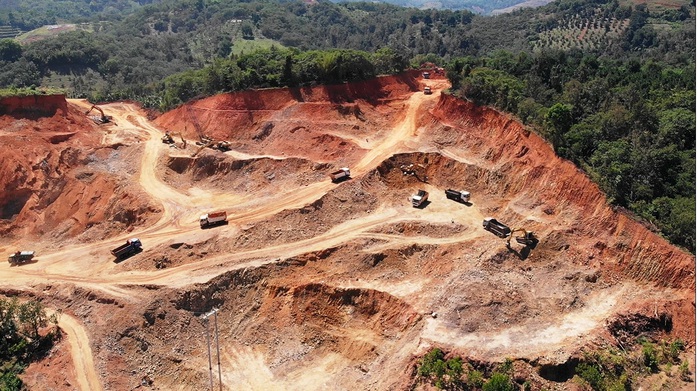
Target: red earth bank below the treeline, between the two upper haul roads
261	115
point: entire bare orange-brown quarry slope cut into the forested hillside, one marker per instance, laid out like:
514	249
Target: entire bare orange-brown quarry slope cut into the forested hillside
319	285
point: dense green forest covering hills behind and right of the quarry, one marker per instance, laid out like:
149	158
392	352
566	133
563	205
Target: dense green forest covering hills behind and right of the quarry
610	84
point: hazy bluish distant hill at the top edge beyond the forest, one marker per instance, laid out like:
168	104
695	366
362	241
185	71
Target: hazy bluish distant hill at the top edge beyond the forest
484	7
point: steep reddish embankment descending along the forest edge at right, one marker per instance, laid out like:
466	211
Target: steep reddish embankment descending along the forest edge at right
534	172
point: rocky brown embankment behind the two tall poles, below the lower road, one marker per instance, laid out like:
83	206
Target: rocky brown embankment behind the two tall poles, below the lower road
277	321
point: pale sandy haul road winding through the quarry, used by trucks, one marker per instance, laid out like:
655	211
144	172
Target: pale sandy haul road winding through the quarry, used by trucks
180	212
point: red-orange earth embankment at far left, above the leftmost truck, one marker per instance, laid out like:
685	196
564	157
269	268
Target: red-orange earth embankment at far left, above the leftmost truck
58	180
